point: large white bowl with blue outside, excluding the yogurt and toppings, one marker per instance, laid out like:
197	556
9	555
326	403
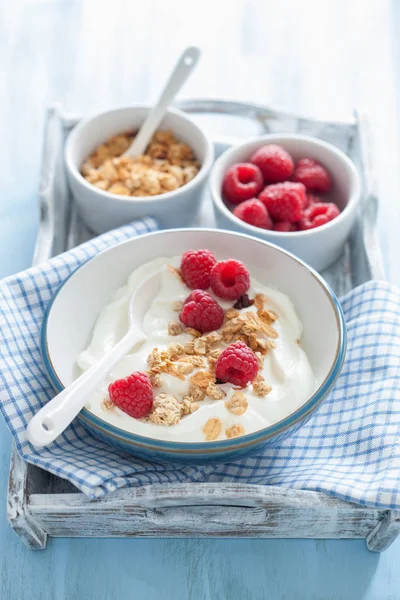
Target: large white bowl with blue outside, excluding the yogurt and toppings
76	306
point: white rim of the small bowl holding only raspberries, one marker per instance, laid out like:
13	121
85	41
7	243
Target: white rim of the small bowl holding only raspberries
354	198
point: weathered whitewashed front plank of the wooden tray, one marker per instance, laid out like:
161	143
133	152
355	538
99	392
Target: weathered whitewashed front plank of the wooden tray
204	510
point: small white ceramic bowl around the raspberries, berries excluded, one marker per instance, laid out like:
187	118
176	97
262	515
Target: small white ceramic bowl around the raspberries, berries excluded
321	246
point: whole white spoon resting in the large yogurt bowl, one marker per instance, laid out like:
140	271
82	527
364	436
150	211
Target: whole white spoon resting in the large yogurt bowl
51	420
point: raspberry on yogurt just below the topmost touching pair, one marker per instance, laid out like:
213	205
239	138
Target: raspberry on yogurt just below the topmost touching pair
201	312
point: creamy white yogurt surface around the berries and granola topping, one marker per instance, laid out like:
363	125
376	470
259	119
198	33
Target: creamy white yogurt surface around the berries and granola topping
286	368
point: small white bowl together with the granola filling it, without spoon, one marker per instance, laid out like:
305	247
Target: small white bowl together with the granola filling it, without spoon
166	182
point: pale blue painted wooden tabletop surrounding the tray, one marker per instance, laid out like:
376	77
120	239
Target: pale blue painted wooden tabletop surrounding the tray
315	57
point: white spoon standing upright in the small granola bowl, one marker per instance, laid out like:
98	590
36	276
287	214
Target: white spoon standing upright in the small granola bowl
183	68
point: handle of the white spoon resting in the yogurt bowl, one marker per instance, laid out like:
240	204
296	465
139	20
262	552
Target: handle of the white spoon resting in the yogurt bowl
58	413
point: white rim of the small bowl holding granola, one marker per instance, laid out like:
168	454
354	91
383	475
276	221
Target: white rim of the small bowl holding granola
74	170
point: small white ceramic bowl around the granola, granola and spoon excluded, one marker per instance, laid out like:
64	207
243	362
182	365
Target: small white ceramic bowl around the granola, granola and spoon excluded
103	211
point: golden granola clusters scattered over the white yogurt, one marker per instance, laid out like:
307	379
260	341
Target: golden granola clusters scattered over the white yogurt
195	361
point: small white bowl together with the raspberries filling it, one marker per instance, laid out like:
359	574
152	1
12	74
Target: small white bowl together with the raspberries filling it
292	190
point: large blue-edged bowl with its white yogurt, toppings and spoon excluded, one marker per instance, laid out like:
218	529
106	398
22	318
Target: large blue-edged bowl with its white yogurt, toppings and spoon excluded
89	313
